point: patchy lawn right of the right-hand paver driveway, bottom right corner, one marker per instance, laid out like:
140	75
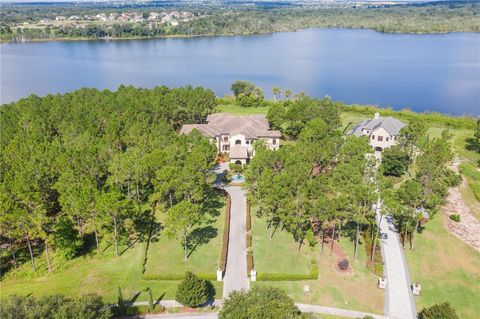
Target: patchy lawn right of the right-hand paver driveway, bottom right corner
447	269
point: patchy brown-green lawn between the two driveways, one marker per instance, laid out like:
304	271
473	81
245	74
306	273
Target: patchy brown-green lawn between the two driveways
356	290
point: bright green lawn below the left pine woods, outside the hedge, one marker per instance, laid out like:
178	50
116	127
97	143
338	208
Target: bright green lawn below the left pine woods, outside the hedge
101	274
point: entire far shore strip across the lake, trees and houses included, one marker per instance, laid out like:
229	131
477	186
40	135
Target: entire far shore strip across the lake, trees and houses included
96	20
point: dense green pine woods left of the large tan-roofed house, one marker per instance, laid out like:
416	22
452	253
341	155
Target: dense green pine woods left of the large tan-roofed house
90	168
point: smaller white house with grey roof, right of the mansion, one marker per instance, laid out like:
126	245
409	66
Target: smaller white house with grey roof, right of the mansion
382	132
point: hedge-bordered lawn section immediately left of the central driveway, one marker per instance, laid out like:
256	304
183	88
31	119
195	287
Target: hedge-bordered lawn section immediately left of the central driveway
166	255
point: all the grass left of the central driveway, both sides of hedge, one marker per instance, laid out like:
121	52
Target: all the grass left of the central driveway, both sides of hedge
104	273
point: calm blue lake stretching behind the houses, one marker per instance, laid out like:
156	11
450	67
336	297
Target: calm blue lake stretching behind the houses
421	72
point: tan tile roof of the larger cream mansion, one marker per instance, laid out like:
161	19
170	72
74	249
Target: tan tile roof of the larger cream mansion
251	126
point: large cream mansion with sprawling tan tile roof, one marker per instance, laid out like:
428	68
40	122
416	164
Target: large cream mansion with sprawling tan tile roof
234	135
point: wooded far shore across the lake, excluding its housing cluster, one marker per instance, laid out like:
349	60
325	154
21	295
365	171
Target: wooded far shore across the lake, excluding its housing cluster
440	17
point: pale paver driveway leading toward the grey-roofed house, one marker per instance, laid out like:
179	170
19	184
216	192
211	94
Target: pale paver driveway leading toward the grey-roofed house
399	302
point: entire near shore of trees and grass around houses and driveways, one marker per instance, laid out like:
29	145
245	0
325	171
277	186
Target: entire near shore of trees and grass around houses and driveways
101	194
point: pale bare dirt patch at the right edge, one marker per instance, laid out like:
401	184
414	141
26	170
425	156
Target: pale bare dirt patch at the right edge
468	229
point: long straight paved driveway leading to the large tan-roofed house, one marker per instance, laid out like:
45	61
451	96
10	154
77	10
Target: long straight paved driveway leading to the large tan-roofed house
236	272
